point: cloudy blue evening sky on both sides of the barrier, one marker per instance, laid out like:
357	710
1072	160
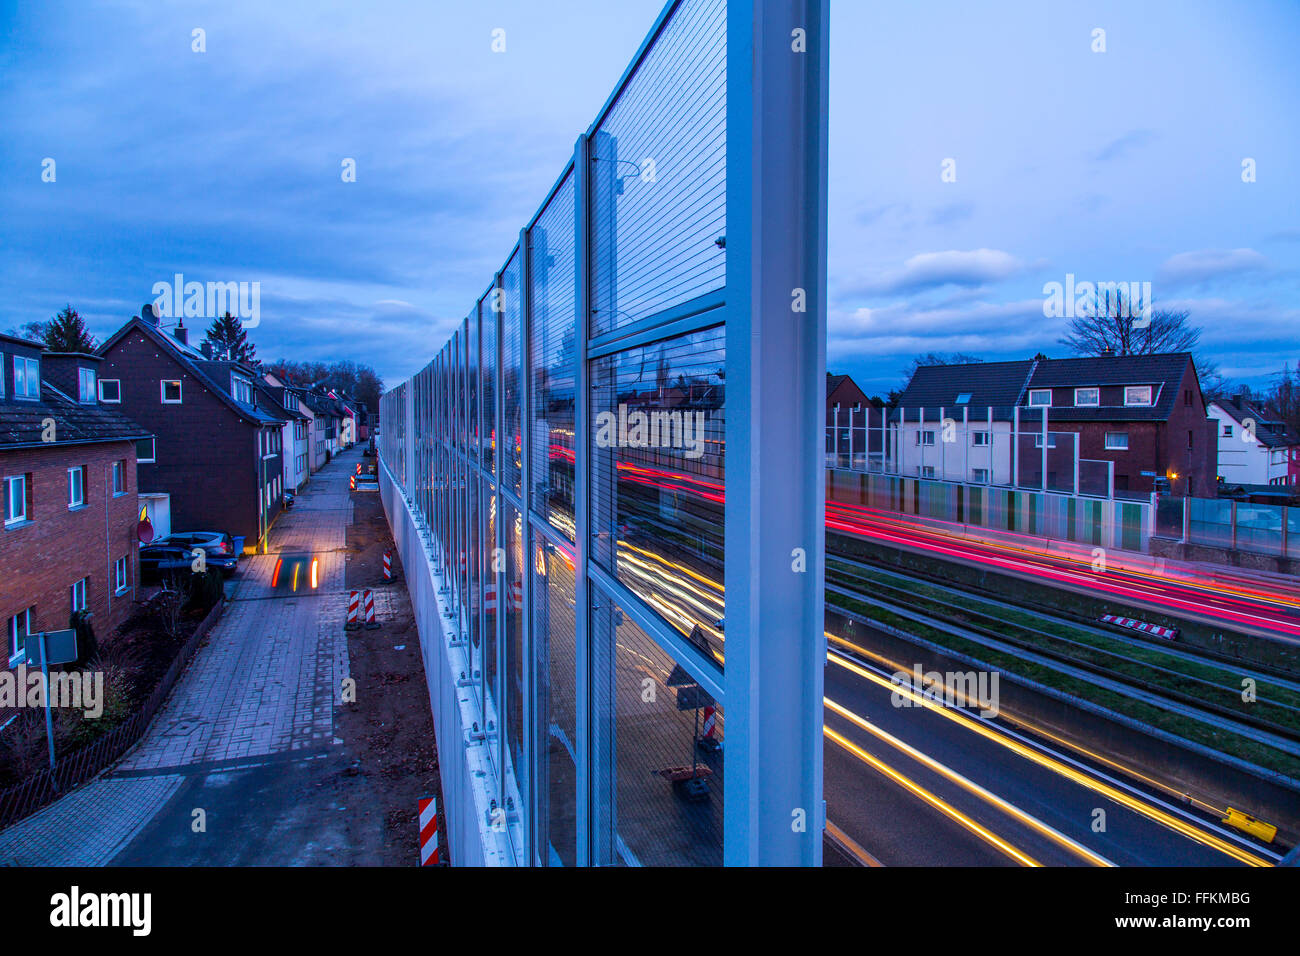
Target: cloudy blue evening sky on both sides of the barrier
227	166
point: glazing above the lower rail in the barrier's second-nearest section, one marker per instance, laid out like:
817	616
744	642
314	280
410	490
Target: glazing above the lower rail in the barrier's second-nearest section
554	334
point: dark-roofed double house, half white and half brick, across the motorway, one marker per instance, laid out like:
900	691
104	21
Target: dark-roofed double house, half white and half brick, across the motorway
1143	413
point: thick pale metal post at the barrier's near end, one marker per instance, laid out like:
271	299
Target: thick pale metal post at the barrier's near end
777	224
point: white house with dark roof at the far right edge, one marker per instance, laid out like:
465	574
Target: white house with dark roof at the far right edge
1254	447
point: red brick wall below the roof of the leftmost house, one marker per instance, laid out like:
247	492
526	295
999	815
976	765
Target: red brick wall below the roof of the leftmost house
41	561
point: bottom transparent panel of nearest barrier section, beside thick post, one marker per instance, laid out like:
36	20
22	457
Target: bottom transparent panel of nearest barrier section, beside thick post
657	752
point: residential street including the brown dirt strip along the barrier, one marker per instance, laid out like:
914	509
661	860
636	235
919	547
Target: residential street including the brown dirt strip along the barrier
255	760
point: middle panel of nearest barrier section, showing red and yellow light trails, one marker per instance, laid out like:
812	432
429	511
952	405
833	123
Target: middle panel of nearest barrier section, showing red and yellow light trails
658	481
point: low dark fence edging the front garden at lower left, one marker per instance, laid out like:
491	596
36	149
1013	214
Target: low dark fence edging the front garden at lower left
75	769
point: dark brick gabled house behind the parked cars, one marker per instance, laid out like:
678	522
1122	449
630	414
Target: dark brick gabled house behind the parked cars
216	452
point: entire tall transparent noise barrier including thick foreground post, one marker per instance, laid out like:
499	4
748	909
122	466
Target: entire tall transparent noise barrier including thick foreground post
588	468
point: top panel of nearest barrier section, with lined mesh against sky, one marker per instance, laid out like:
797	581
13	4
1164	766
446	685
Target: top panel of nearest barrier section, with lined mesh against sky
661	157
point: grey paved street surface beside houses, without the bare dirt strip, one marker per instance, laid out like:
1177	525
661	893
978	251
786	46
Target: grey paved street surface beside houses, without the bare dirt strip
231	765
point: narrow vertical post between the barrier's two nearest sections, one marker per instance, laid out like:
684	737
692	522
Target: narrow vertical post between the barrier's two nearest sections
583	495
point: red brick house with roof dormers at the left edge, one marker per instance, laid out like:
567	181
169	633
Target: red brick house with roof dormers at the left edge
68	471
